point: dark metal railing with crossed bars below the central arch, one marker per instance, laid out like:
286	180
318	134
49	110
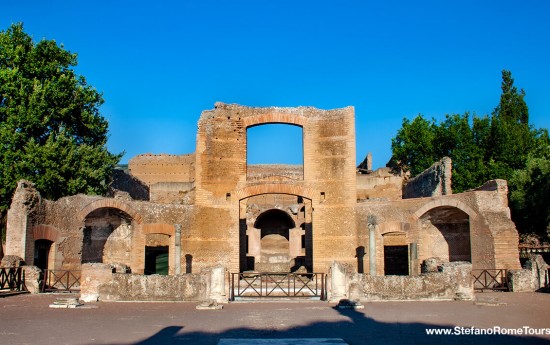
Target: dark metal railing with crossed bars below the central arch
277	285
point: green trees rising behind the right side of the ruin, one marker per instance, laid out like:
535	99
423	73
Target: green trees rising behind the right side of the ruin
503	145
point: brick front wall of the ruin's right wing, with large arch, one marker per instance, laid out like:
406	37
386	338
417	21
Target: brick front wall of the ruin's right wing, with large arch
482	216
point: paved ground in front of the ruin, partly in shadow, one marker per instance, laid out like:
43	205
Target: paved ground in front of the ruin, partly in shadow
27	319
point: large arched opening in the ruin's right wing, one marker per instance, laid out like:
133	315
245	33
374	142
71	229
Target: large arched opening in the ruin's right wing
445	233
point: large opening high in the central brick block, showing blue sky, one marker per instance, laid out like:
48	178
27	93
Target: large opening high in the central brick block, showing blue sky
275	152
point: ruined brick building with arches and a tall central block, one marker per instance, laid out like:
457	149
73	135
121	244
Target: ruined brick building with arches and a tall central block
182	214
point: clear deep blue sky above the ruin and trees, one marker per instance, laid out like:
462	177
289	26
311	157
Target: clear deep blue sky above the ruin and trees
160	63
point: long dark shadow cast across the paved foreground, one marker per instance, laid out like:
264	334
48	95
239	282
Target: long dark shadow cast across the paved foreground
358	329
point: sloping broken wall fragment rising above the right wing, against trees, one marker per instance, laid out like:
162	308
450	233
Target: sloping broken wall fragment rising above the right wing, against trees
434	181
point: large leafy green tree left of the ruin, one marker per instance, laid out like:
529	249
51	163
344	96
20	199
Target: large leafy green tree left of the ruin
51	131
